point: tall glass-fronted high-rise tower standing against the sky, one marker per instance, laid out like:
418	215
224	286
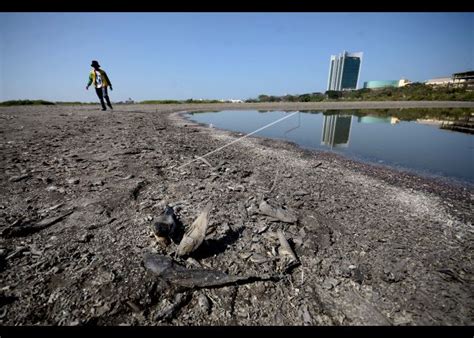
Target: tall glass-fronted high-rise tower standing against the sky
344	70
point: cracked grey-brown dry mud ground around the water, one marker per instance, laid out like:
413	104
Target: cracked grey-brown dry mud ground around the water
80	188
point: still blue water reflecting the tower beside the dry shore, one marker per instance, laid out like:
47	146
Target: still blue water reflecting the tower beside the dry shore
419	144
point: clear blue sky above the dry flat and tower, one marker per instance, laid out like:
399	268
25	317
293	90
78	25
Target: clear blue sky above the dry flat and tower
221	55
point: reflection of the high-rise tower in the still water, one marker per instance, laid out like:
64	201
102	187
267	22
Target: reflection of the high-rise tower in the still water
336	130
